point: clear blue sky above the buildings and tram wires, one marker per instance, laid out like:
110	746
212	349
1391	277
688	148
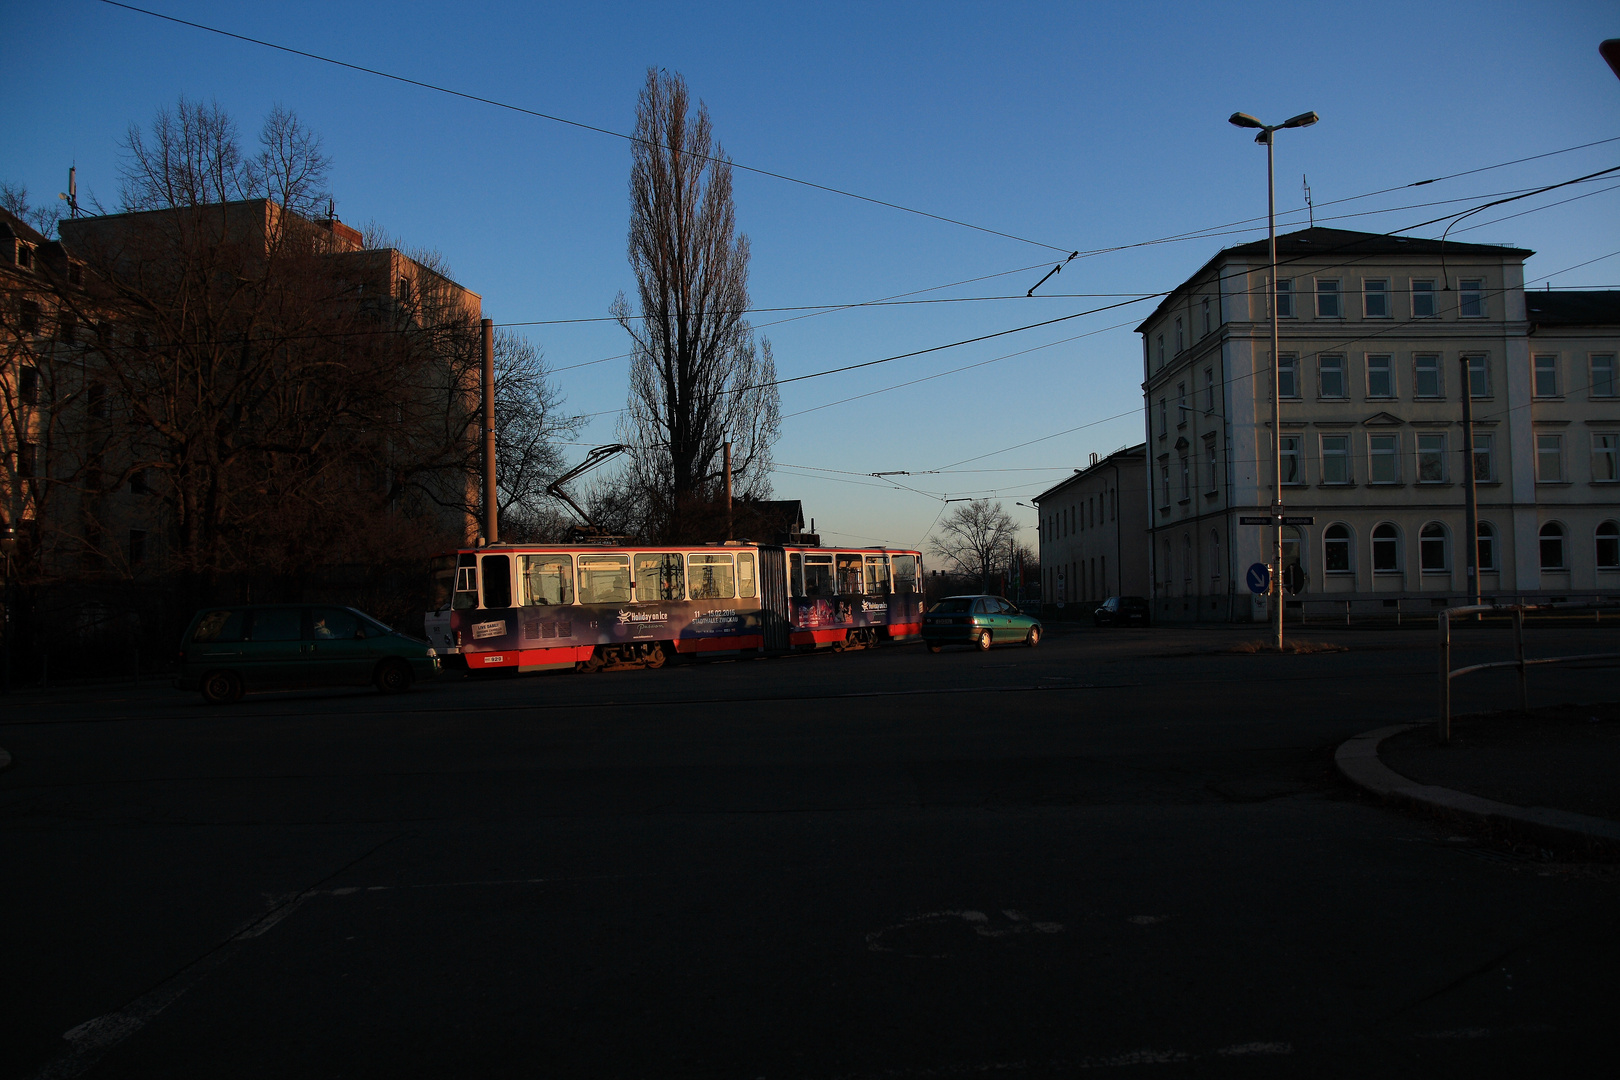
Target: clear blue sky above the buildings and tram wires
1075	125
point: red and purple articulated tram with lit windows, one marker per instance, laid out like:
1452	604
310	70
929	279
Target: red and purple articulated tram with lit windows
553	606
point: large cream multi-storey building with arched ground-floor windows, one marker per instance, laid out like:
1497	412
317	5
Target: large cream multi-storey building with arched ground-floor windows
1379	339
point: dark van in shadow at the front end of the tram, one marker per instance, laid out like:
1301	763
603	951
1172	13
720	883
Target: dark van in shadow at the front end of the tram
228	652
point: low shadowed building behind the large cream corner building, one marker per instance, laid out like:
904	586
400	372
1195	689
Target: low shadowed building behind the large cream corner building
1094	534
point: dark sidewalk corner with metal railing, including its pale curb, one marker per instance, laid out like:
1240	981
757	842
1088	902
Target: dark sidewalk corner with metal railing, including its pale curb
1551	772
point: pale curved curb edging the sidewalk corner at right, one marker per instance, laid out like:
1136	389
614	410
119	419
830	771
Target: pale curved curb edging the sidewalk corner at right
1358	762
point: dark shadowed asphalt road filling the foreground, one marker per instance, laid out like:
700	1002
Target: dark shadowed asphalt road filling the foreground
1117	854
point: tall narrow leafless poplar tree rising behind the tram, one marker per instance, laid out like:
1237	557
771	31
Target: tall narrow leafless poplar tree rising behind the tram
697	376
